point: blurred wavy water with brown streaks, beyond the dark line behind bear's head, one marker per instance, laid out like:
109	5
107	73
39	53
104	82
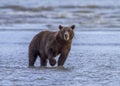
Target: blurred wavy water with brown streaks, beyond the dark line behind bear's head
40	14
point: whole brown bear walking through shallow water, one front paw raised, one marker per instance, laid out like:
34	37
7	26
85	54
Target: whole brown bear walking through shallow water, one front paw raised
47	45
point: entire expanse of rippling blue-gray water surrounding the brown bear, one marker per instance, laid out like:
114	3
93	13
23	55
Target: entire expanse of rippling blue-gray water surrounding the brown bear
94	59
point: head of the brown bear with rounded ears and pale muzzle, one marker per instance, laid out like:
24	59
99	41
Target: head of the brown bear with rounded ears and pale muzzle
66	33
